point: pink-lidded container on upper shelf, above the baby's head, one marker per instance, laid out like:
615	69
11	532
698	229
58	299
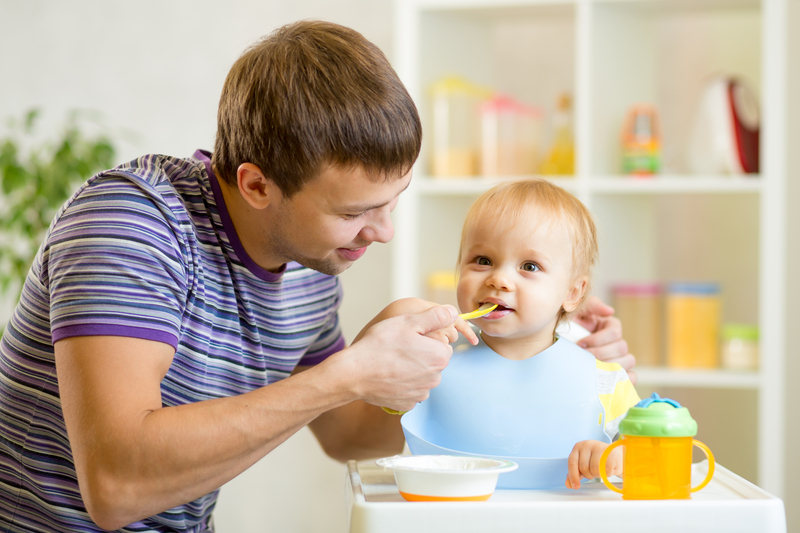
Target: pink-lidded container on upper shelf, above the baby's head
510	137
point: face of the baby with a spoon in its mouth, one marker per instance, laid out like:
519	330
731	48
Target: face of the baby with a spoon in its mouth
524	266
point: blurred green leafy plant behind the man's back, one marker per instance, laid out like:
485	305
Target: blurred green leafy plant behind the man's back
36	177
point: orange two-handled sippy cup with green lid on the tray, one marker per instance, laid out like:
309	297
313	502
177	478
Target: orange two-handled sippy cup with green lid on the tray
657	435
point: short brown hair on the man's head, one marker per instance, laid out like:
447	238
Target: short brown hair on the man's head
313	94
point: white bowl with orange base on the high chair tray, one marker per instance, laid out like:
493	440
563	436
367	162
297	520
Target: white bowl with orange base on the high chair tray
446	477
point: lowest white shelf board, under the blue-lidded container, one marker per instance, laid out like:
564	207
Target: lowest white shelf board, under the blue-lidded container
719	379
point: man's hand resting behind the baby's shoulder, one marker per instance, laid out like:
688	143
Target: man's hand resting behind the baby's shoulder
605	342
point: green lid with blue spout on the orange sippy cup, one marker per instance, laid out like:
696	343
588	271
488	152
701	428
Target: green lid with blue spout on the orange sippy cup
658	417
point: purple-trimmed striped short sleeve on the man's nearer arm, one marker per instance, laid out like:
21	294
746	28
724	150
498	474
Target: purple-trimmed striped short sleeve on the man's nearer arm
113	264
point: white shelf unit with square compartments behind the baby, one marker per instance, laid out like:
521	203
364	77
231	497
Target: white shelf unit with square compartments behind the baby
611	54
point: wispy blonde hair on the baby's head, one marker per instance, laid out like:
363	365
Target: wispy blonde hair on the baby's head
510	200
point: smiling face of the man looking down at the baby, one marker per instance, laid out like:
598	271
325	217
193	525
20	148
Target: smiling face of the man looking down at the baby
331	221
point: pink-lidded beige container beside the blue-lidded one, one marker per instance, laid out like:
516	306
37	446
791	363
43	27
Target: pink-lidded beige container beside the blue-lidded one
638	306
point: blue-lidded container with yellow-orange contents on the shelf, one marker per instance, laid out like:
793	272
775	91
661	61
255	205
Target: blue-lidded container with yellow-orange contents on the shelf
693	325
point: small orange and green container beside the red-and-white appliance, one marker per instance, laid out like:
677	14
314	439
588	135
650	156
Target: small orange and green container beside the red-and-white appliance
641	141
